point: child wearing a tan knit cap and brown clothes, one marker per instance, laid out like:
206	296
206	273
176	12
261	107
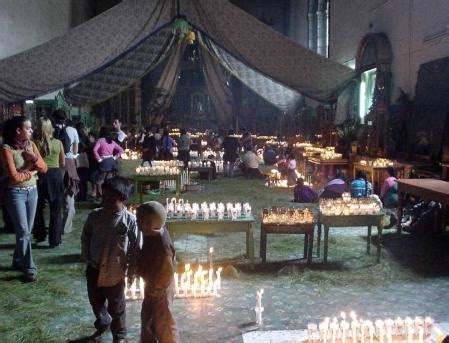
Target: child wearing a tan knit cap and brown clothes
156	266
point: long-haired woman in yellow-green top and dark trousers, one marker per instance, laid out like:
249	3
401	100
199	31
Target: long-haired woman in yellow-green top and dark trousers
50	186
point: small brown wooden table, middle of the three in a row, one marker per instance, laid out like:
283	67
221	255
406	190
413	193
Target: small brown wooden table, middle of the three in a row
305	229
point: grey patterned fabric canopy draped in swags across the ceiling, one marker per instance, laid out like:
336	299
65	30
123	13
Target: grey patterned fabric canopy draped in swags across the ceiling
97	59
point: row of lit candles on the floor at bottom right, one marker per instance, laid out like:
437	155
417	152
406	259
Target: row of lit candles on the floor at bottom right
358	330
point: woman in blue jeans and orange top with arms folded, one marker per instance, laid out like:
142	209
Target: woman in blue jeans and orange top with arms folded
21	162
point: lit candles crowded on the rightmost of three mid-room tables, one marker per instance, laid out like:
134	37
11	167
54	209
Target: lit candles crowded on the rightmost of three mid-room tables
353	206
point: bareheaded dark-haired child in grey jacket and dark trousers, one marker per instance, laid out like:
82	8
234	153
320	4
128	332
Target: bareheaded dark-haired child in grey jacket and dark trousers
110	246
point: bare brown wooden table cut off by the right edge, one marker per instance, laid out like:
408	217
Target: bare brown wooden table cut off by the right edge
427	190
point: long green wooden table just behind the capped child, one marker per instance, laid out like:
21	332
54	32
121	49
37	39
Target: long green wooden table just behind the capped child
199	226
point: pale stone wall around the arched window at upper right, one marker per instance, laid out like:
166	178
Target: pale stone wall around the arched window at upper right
418	31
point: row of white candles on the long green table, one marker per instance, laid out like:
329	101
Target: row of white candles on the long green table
178	208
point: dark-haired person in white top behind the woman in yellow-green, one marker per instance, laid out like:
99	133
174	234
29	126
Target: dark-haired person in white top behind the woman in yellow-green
70	140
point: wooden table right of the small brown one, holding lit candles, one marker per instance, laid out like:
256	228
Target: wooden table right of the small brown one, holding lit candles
368	220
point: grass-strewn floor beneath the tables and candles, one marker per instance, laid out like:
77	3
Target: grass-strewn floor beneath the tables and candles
55	308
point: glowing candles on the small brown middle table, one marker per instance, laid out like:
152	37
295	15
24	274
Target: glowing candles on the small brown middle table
287	216
